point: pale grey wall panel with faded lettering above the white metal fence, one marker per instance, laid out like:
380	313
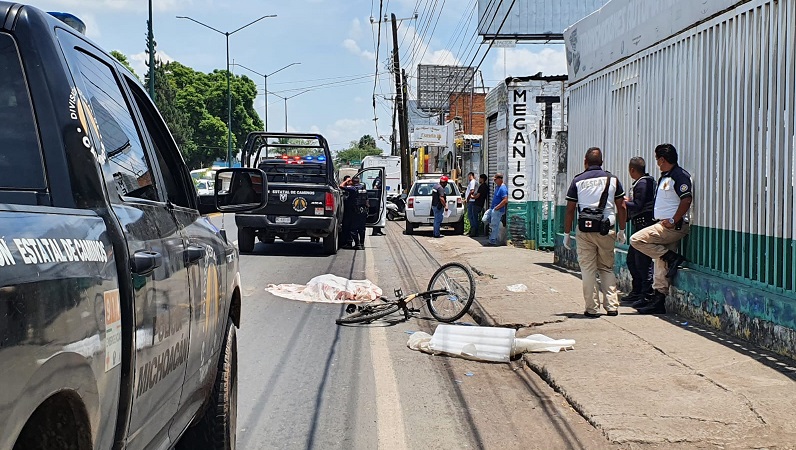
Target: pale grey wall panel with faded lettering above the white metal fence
624	27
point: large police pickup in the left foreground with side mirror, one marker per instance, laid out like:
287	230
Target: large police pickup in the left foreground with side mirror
119	301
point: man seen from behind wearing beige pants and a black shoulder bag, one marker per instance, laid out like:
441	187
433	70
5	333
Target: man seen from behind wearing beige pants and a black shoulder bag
599	198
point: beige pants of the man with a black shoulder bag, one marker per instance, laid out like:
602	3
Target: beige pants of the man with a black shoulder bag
596	254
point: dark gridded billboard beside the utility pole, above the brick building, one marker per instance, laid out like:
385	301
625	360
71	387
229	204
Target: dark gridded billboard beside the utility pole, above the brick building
436	83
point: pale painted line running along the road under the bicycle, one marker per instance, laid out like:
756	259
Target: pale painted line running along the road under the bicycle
389	416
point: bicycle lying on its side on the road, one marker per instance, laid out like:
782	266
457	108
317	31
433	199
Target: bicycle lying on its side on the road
450	292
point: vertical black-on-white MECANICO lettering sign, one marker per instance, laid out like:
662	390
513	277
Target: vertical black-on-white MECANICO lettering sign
518	145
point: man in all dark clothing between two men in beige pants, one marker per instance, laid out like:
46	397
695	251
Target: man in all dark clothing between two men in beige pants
639	210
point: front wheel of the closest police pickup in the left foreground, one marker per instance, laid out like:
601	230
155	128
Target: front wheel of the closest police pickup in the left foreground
216	429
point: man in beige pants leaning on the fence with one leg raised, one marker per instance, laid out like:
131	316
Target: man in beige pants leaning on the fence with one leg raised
659	241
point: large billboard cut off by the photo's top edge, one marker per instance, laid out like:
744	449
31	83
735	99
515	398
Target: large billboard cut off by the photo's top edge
530	20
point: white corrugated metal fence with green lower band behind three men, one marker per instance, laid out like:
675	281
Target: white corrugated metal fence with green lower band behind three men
724	93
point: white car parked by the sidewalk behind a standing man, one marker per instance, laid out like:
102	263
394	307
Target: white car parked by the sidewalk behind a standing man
418	206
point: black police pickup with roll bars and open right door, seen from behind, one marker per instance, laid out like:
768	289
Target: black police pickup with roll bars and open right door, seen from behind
304	198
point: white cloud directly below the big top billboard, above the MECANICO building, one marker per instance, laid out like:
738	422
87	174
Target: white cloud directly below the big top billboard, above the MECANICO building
522	62
